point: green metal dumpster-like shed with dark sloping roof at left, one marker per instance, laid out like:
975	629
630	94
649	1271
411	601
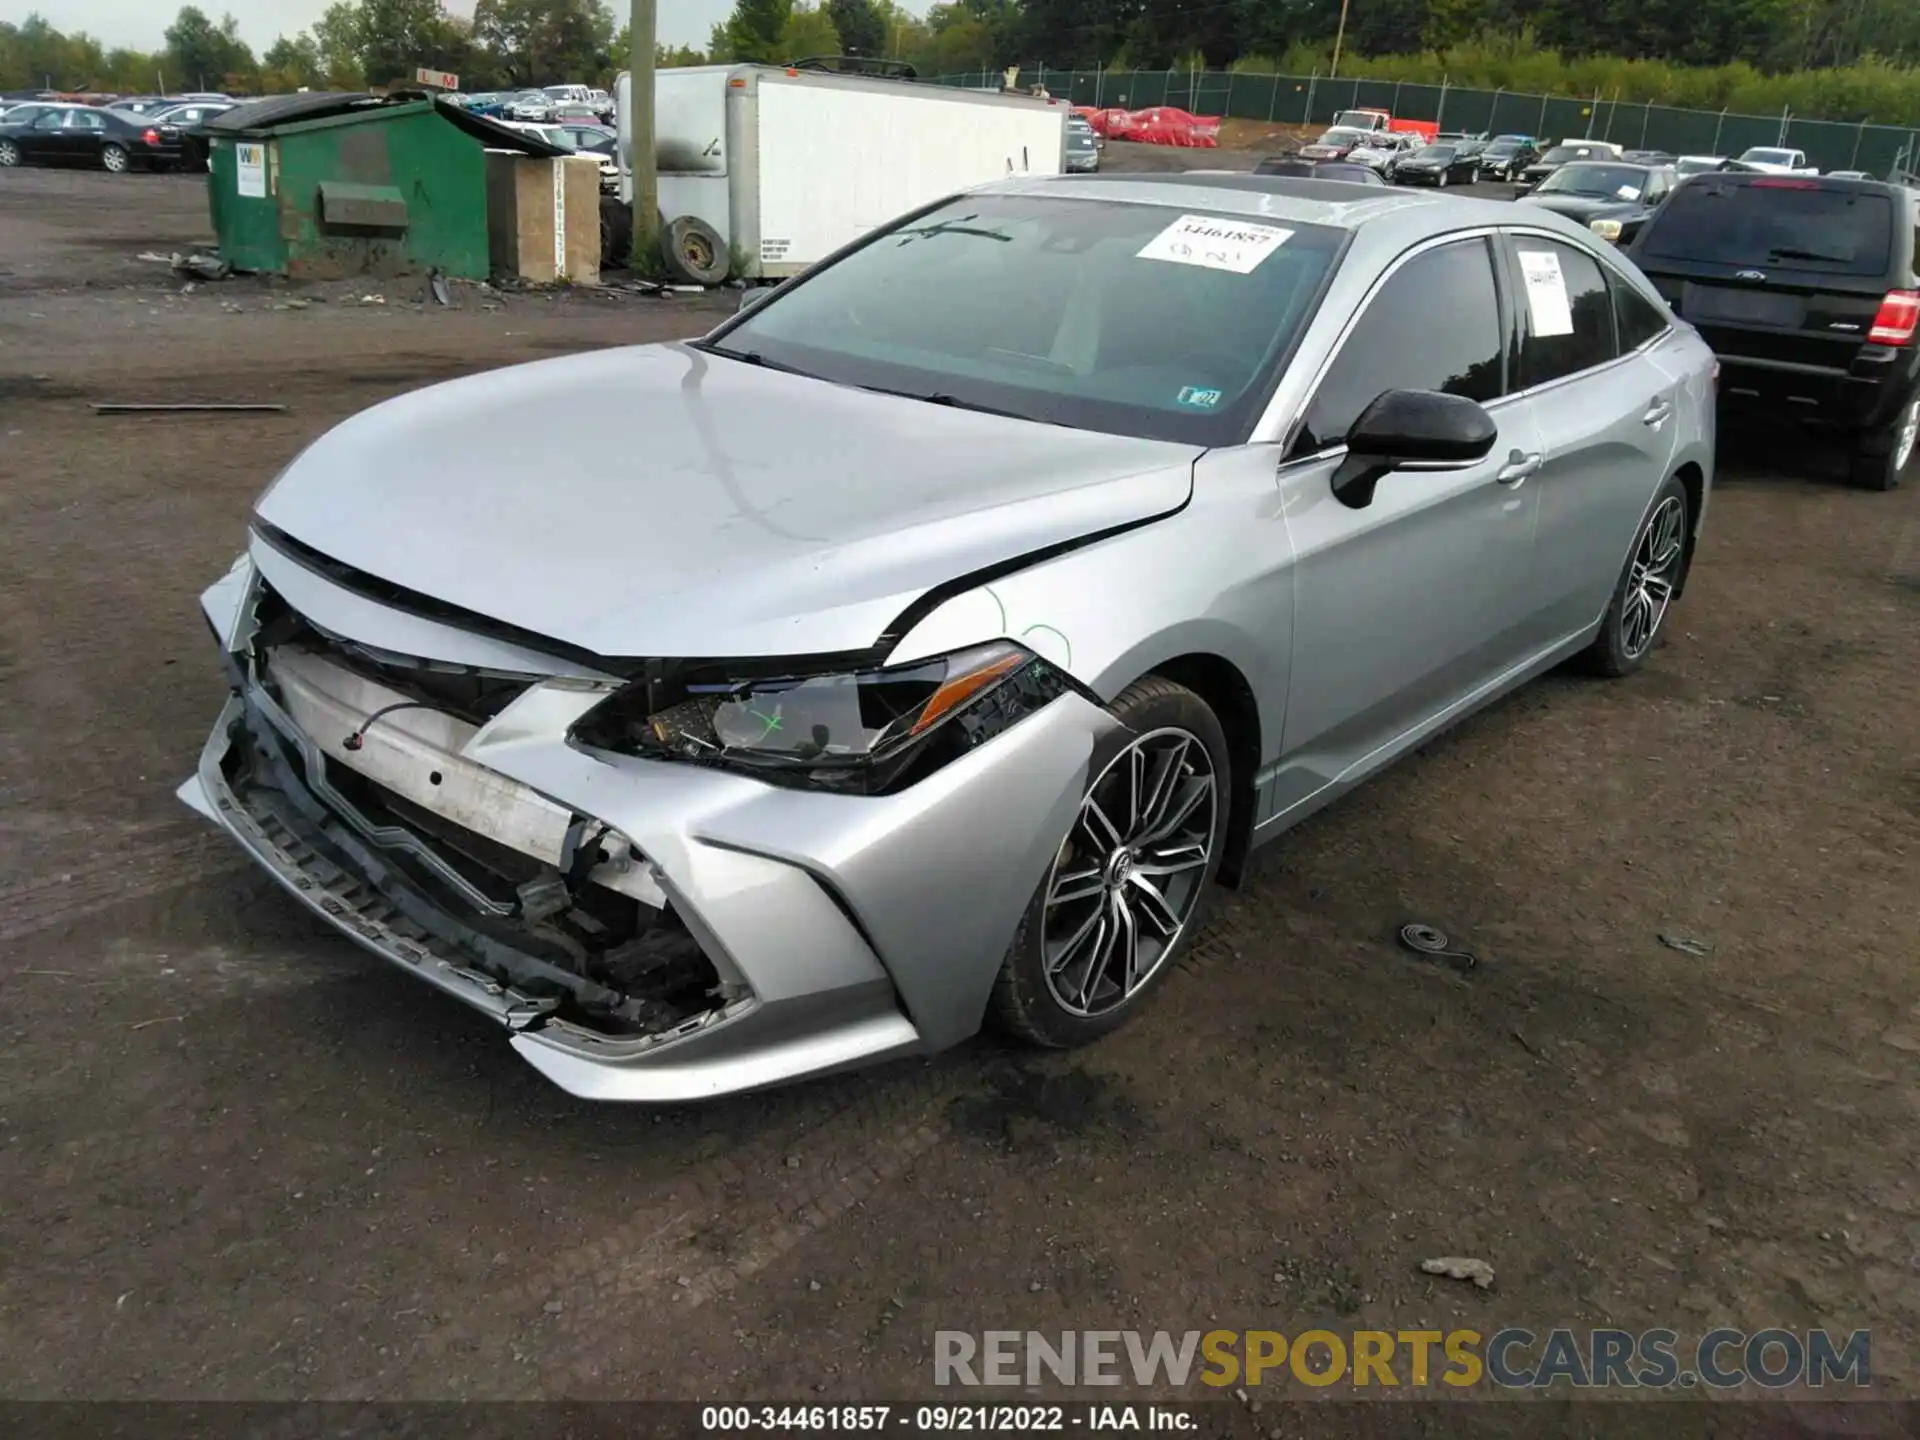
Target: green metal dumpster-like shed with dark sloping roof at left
327	187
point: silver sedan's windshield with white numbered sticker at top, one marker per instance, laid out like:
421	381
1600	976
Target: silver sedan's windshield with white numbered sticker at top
1118	318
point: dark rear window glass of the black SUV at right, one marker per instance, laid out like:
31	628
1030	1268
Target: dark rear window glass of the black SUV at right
1785	224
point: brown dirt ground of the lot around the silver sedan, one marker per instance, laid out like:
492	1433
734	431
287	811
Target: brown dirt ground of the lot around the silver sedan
243	1159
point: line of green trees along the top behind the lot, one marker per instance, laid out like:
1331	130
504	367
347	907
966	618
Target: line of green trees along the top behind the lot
1823	59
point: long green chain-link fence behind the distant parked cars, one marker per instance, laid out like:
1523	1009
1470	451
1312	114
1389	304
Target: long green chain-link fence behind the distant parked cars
1314	101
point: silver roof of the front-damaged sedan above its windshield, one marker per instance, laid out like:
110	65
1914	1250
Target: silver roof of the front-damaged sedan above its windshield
1395	218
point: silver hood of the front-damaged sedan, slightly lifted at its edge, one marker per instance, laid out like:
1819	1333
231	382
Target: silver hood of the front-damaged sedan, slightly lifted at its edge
675	504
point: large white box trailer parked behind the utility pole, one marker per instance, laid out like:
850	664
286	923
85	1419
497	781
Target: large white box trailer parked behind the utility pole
775	168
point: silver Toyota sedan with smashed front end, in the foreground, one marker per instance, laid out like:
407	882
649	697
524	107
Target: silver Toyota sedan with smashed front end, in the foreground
926	642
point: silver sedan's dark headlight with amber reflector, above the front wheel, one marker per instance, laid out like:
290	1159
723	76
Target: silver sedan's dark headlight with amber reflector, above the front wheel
861	732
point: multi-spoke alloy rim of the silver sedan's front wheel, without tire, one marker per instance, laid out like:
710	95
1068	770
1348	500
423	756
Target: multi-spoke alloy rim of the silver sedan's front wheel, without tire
1132	873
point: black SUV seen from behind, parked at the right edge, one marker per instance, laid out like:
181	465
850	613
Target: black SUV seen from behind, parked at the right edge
1806	289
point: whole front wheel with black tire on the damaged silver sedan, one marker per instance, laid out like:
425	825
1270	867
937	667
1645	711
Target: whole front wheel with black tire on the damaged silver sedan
1130	882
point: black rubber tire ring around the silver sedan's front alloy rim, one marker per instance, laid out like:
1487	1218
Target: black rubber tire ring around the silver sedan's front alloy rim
1141	709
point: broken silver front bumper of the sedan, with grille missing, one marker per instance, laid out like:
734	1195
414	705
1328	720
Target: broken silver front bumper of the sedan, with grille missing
782	934
